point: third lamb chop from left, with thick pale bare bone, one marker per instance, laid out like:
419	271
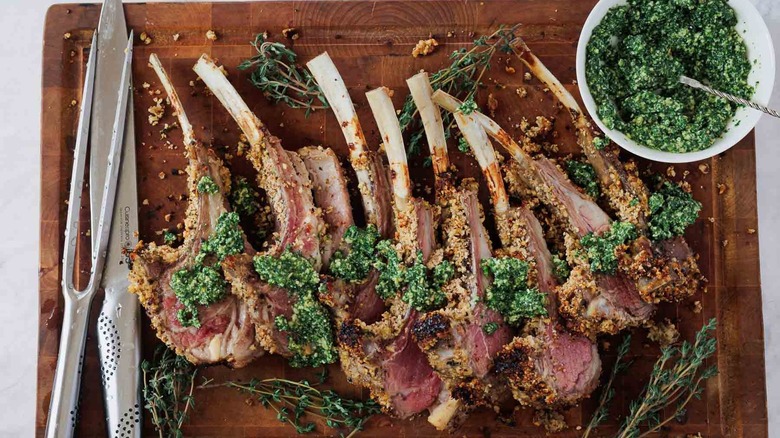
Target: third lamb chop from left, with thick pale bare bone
355	300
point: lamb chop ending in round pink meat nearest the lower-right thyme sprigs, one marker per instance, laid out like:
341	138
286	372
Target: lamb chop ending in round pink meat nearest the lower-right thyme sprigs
547	367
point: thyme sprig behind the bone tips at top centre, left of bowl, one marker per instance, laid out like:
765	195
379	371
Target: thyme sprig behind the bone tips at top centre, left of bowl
462	78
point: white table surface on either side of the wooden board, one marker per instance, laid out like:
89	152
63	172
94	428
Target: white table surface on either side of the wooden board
21	27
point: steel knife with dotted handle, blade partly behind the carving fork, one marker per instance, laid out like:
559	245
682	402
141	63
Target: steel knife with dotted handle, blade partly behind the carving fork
118	323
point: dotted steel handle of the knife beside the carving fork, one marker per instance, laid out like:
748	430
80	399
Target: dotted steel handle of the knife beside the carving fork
119	342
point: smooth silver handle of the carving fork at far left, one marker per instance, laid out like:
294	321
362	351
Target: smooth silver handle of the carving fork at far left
63	408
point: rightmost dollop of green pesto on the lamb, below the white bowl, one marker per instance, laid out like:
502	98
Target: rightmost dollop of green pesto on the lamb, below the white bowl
672	210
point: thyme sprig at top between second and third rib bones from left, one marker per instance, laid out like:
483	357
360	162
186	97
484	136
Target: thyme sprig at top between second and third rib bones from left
277	75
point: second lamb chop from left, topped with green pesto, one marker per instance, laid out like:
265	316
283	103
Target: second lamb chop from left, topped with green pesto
281	284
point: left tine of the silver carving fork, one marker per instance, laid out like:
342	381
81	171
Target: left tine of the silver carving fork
79	163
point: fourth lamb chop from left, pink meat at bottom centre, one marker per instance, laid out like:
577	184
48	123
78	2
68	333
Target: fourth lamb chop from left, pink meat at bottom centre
382	356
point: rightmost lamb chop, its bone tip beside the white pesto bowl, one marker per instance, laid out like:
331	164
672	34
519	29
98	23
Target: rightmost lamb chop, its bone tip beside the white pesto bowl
663	271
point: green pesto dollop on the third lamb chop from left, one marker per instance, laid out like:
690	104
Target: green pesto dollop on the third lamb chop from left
355	266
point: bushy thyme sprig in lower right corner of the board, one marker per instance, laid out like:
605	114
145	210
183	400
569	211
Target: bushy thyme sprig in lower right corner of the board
676	379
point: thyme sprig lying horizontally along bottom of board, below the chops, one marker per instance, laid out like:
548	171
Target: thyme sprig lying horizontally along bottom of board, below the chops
297	403
